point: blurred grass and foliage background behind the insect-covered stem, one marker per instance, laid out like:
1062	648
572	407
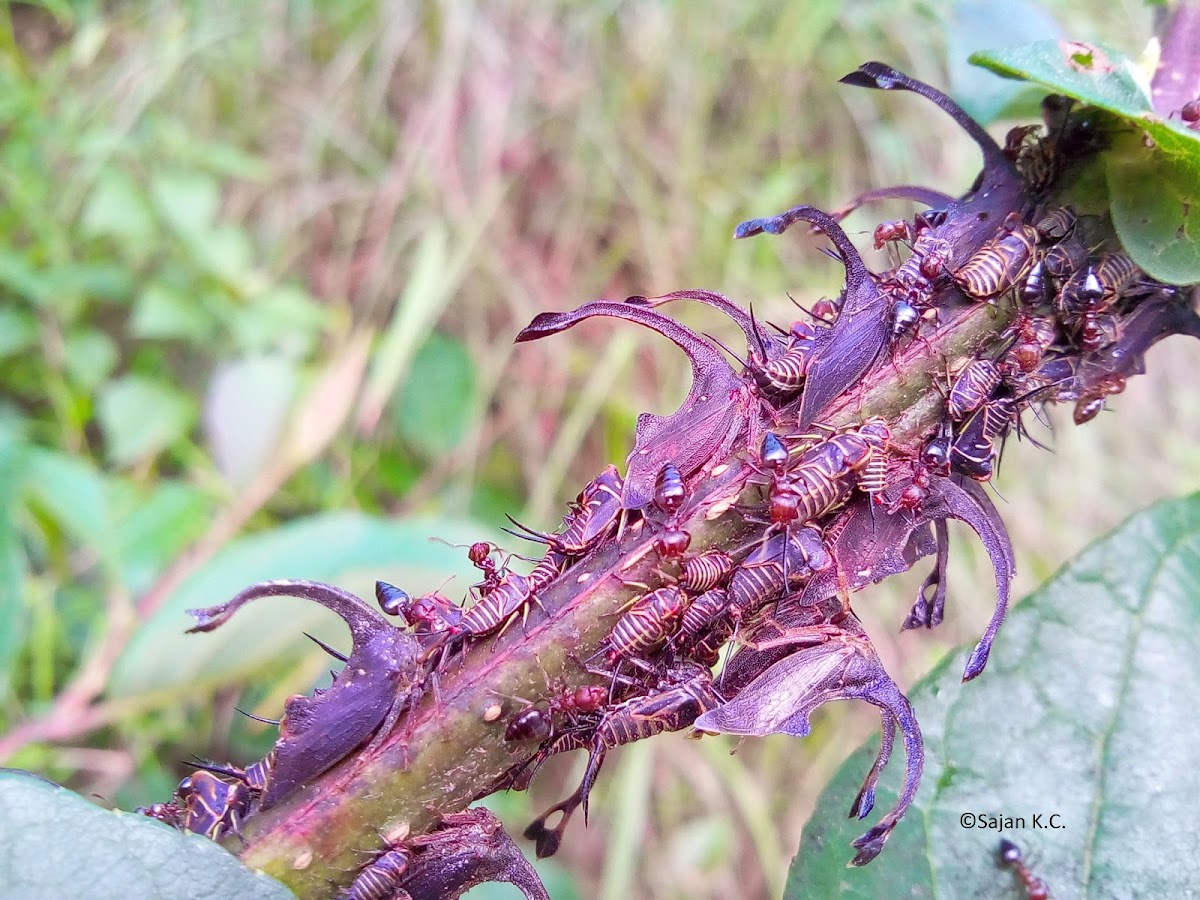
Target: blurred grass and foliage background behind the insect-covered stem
261	266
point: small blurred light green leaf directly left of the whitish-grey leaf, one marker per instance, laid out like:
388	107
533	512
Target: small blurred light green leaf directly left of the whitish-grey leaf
141	418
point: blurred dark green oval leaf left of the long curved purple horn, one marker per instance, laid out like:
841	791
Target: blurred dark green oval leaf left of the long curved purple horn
434	422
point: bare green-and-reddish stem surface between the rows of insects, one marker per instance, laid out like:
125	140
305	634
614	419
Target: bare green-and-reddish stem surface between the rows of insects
452	748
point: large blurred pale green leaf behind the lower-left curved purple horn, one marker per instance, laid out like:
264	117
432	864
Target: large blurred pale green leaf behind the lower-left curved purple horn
344	549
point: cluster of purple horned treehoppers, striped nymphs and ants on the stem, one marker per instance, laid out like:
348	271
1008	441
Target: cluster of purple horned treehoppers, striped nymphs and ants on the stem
824	511
